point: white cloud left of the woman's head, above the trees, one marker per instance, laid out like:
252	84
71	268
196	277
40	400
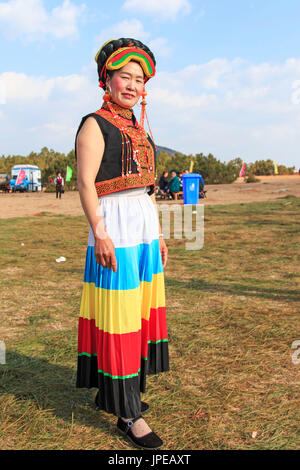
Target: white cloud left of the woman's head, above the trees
45	111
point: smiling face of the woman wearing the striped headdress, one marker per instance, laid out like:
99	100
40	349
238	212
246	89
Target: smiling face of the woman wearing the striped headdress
126	85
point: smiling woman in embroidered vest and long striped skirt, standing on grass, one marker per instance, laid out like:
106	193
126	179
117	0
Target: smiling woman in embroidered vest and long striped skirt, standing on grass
122	334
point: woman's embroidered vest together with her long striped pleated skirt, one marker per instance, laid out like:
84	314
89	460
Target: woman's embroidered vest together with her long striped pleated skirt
122	333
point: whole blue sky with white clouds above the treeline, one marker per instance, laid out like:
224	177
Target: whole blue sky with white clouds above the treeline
227	82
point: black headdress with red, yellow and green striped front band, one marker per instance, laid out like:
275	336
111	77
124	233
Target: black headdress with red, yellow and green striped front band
116	53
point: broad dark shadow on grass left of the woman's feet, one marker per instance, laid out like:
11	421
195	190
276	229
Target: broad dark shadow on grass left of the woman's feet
51	387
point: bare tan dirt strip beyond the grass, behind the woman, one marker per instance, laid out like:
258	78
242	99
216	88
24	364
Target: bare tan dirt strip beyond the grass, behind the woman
269	188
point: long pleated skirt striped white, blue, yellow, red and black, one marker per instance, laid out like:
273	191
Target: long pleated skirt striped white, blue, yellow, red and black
122	331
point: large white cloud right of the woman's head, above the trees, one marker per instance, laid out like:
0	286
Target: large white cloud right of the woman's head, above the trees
230	108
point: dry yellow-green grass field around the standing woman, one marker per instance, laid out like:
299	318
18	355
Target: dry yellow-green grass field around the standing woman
233	314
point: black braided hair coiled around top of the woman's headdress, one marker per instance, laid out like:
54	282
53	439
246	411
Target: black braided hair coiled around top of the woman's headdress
111	47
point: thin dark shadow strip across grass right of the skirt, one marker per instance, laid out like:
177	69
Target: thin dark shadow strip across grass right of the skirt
235	289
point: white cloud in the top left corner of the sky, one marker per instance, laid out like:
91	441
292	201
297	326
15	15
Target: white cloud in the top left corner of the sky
29	19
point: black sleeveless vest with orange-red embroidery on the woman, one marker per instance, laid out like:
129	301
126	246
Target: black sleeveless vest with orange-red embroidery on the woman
109	178
